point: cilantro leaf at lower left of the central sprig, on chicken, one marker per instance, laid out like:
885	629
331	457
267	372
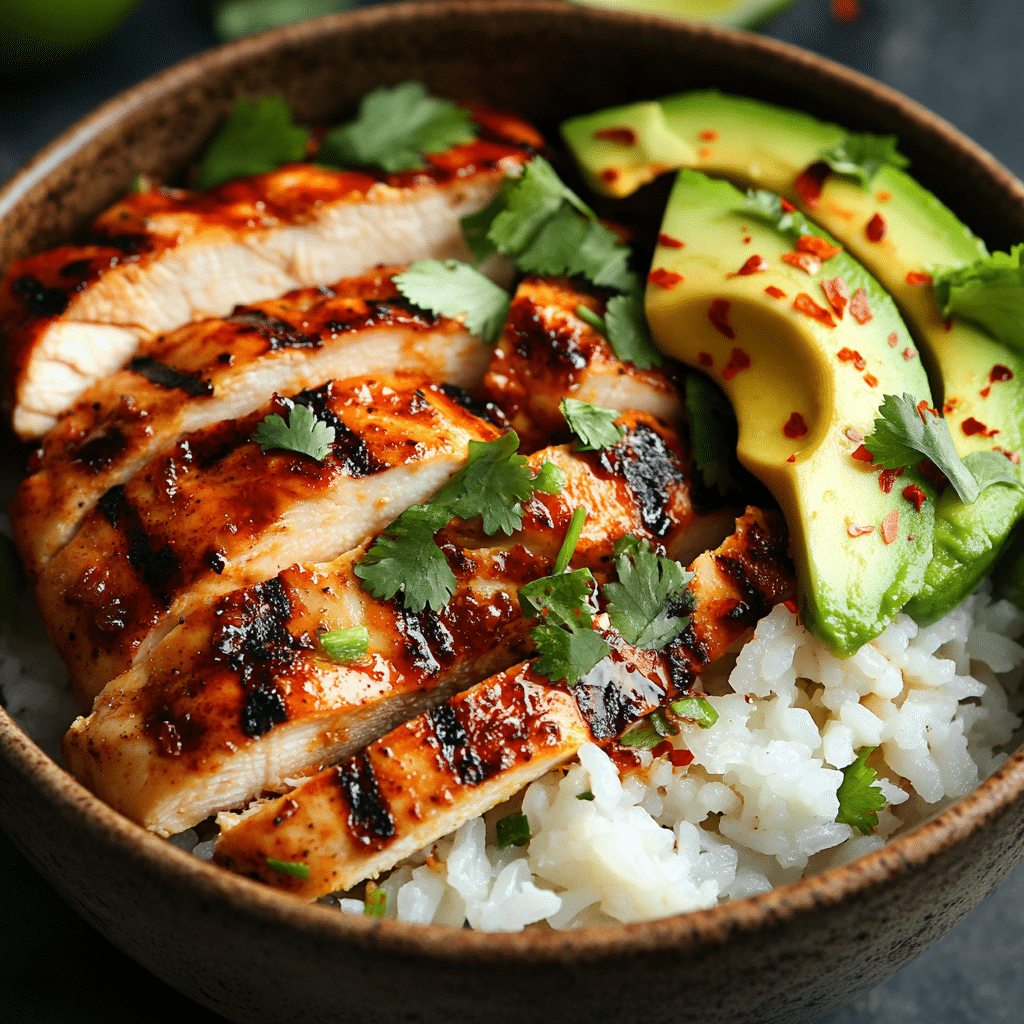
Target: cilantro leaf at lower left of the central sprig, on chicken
405	560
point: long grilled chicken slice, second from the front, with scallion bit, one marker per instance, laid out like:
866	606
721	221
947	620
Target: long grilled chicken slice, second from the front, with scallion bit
241	697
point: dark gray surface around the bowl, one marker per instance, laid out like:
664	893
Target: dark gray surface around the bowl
962	60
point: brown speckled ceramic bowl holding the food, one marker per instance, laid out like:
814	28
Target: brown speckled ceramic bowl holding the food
255	956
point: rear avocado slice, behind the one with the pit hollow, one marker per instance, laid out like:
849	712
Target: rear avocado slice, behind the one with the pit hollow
764	147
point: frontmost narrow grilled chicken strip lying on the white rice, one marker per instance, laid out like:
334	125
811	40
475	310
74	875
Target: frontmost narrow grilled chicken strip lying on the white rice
425	779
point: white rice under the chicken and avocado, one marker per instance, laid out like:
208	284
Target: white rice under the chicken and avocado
756	808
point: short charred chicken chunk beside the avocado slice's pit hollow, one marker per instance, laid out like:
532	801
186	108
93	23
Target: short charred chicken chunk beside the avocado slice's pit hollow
548	353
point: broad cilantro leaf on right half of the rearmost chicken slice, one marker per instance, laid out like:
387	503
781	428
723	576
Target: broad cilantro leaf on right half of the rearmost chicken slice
395	129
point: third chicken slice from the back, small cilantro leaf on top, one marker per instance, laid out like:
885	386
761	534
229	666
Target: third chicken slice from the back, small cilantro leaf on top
220	513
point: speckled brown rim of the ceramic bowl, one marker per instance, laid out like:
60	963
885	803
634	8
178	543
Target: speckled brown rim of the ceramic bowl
899	858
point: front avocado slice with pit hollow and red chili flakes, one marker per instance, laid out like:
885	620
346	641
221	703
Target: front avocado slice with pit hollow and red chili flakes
851	586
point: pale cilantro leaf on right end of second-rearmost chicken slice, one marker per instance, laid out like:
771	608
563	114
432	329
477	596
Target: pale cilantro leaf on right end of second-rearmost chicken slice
453	289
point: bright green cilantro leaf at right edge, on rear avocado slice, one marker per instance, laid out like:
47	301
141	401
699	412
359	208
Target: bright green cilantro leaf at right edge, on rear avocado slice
991	292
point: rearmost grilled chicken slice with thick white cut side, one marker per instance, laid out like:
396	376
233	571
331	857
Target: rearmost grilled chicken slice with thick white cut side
160	260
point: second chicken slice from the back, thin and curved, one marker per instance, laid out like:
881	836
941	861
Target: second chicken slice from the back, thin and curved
225	369
